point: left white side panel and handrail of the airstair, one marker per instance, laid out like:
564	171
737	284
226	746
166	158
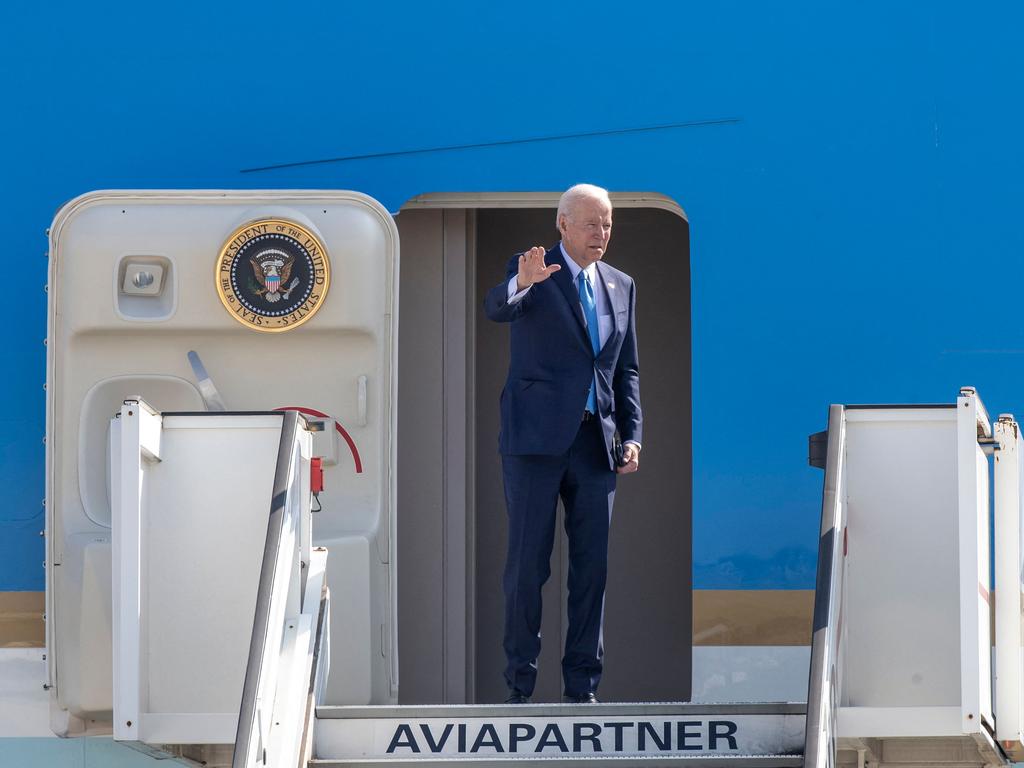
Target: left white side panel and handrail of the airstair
182	609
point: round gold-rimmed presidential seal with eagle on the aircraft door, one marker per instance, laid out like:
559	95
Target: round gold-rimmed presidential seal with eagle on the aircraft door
273	275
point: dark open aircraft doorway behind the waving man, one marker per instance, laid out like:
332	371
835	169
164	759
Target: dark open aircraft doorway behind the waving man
452	522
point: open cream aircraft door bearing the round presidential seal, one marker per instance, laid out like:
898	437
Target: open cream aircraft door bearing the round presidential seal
288	301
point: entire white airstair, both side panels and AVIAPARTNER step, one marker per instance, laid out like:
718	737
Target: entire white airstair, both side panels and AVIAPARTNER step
903	655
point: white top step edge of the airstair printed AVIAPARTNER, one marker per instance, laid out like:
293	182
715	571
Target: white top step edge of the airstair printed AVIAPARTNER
746	735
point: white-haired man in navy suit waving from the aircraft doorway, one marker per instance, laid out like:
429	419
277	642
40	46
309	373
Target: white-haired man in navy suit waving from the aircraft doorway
570	422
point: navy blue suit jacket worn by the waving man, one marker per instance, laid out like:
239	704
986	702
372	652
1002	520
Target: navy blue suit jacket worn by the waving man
552	363
